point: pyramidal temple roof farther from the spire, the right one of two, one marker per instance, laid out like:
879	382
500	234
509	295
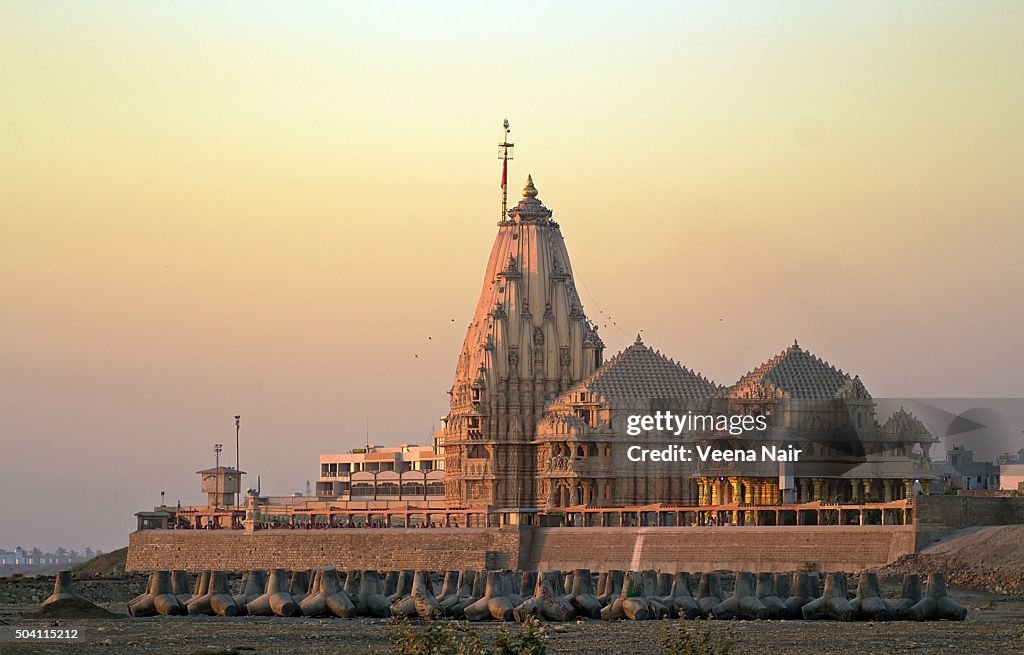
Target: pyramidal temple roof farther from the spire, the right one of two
796	373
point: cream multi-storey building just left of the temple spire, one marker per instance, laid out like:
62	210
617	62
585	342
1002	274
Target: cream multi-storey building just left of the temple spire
409	472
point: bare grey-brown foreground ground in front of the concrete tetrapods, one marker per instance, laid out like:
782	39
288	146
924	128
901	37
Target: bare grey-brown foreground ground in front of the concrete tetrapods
995	626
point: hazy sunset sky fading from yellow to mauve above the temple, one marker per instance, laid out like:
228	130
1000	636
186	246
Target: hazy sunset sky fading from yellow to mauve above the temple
272	209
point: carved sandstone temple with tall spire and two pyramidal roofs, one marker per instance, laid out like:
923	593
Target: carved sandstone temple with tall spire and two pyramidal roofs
538	417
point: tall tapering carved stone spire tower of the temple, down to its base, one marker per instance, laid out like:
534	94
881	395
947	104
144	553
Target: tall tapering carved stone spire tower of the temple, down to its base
529	341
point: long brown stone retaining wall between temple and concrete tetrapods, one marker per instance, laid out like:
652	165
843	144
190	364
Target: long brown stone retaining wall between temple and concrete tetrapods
670	549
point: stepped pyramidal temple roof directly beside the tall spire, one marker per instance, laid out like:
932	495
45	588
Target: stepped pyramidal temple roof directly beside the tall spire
641	372
